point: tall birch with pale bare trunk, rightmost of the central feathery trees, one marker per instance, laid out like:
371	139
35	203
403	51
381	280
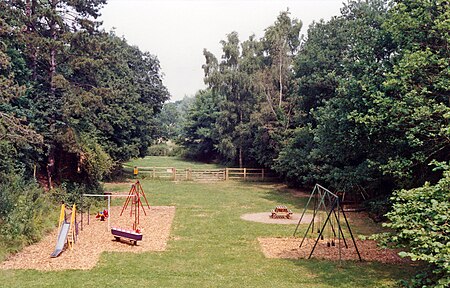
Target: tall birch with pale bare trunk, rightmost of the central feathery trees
274	87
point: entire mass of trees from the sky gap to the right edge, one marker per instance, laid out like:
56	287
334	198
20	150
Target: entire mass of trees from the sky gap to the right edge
359	104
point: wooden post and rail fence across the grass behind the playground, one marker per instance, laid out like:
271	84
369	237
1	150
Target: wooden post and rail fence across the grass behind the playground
221	174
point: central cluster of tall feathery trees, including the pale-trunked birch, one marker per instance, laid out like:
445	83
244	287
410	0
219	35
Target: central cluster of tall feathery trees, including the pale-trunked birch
249	90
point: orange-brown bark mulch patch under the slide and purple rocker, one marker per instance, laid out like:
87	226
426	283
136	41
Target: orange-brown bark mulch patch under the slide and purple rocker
95	239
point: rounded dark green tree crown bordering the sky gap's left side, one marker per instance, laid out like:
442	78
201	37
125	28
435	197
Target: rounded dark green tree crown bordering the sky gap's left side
116	92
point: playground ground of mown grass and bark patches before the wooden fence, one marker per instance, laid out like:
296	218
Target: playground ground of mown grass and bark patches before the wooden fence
194	234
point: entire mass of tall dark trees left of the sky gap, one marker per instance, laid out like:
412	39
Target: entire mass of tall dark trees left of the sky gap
87	95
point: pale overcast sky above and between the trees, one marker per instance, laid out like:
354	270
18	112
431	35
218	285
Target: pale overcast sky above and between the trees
176	31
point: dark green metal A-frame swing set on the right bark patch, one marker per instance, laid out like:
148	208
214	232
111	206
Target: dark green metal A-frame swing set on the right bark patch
326	220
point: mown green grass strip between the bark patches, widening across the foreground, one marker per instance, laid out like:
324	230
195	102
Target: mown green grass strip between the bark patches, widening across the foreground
210	246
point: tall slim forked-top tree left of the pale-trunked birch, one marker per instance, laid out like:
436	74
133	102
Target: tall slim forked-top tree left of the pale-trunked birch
234	85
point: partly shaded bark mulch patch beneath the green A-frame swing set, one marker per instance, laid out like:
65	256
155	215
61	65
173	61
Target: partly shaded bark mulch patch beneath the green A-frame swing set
288	248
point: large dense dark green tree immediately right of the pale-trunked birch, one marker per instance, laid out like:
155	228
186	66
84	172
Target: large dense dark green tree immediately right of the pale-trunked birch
339	67
